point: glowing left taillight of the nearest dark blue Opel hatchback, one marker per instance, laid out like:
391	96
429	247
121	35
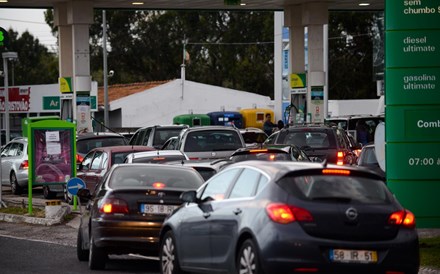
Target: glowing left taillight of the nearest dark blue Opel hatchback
284	214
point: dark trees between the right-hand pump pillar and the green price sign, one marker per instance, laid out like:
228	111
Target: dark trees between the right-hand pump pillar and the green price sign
351	55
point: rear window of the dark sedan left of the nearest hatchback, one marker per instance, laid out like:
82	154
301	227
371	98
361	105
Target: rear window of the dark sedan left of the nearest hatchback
129	176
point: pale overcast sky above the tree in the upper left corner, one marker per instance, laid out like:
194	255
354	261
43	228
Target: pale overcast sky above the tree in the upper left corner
31	20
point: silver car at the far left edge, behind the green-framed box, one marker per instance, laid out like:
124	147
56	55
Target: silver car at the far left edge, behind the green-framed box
14	160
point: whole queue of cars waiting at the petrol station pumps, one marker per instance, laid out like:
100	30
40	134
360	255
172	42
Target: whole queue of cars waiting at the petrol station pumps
214	202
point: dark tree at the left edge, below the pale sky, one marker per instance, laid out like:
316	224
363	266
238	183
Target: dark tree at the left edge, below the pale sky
35	64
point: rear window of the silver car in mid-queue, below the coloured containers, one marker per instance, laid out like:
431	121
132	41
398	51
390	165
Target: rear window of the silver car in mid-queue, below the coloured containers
212	140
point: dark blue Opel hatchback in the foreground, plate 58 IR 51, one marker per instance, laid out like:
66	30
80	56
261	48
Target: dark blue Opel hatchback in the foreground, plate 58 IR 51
290	217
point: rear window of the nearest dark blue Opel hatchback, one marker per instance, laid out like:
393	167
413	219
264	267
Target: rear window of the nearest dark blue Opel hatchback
350	189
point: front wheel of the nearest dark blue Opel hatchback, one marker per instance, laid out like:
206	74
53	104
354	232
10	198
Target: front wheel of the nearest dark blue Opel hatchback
169	262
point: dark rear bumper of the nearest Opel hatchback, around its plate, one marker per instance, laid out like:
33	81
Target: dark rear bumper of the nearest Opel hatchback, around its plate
288	251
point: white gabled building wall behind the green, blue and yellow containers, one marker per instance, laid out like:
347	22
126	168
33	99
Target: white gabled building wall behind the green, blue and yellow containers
160	104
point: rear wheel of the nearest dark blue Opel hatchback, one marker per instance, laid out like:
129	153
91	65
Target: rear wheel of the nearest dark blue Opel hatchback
247	258
